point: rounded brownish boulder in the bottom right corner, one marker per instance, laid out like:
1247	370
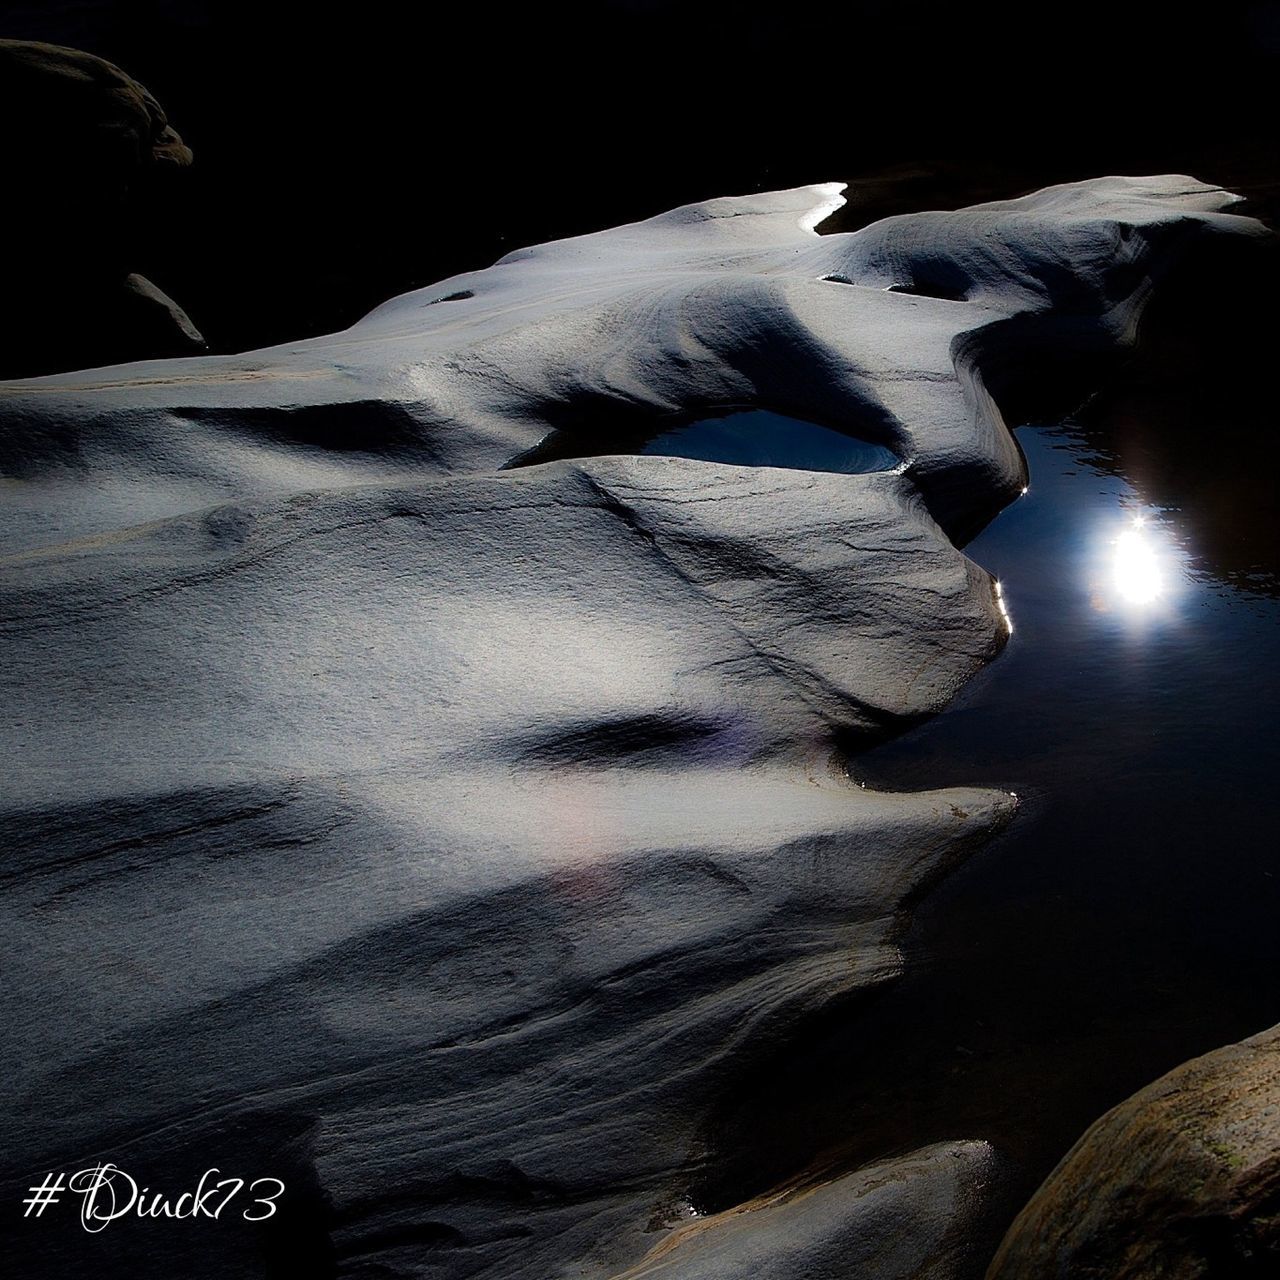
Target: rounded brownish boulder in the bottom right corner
1181	1181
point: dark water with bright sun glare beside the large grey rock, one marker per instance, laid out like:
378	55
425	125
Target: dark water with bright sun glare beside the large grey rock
1126	922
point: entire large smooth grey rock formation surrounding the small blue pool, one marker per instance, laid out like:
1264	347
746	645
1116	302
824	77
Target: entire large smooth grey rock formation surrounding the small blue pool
438	829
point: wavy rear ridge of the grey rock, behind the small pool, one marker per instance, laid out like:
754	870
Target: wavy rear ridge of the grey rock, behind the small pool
729	304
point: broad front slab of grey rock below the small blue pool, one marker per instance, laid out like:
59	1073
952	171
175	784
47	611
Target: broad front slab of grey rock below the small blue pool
505	806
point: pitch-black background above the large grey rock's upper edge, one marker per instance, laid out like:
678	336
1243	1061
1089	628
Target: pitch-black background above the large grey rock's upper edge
344	157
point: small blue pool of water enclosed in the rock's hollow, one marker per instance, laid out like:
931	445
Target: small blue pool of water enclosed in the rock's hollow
760	438
